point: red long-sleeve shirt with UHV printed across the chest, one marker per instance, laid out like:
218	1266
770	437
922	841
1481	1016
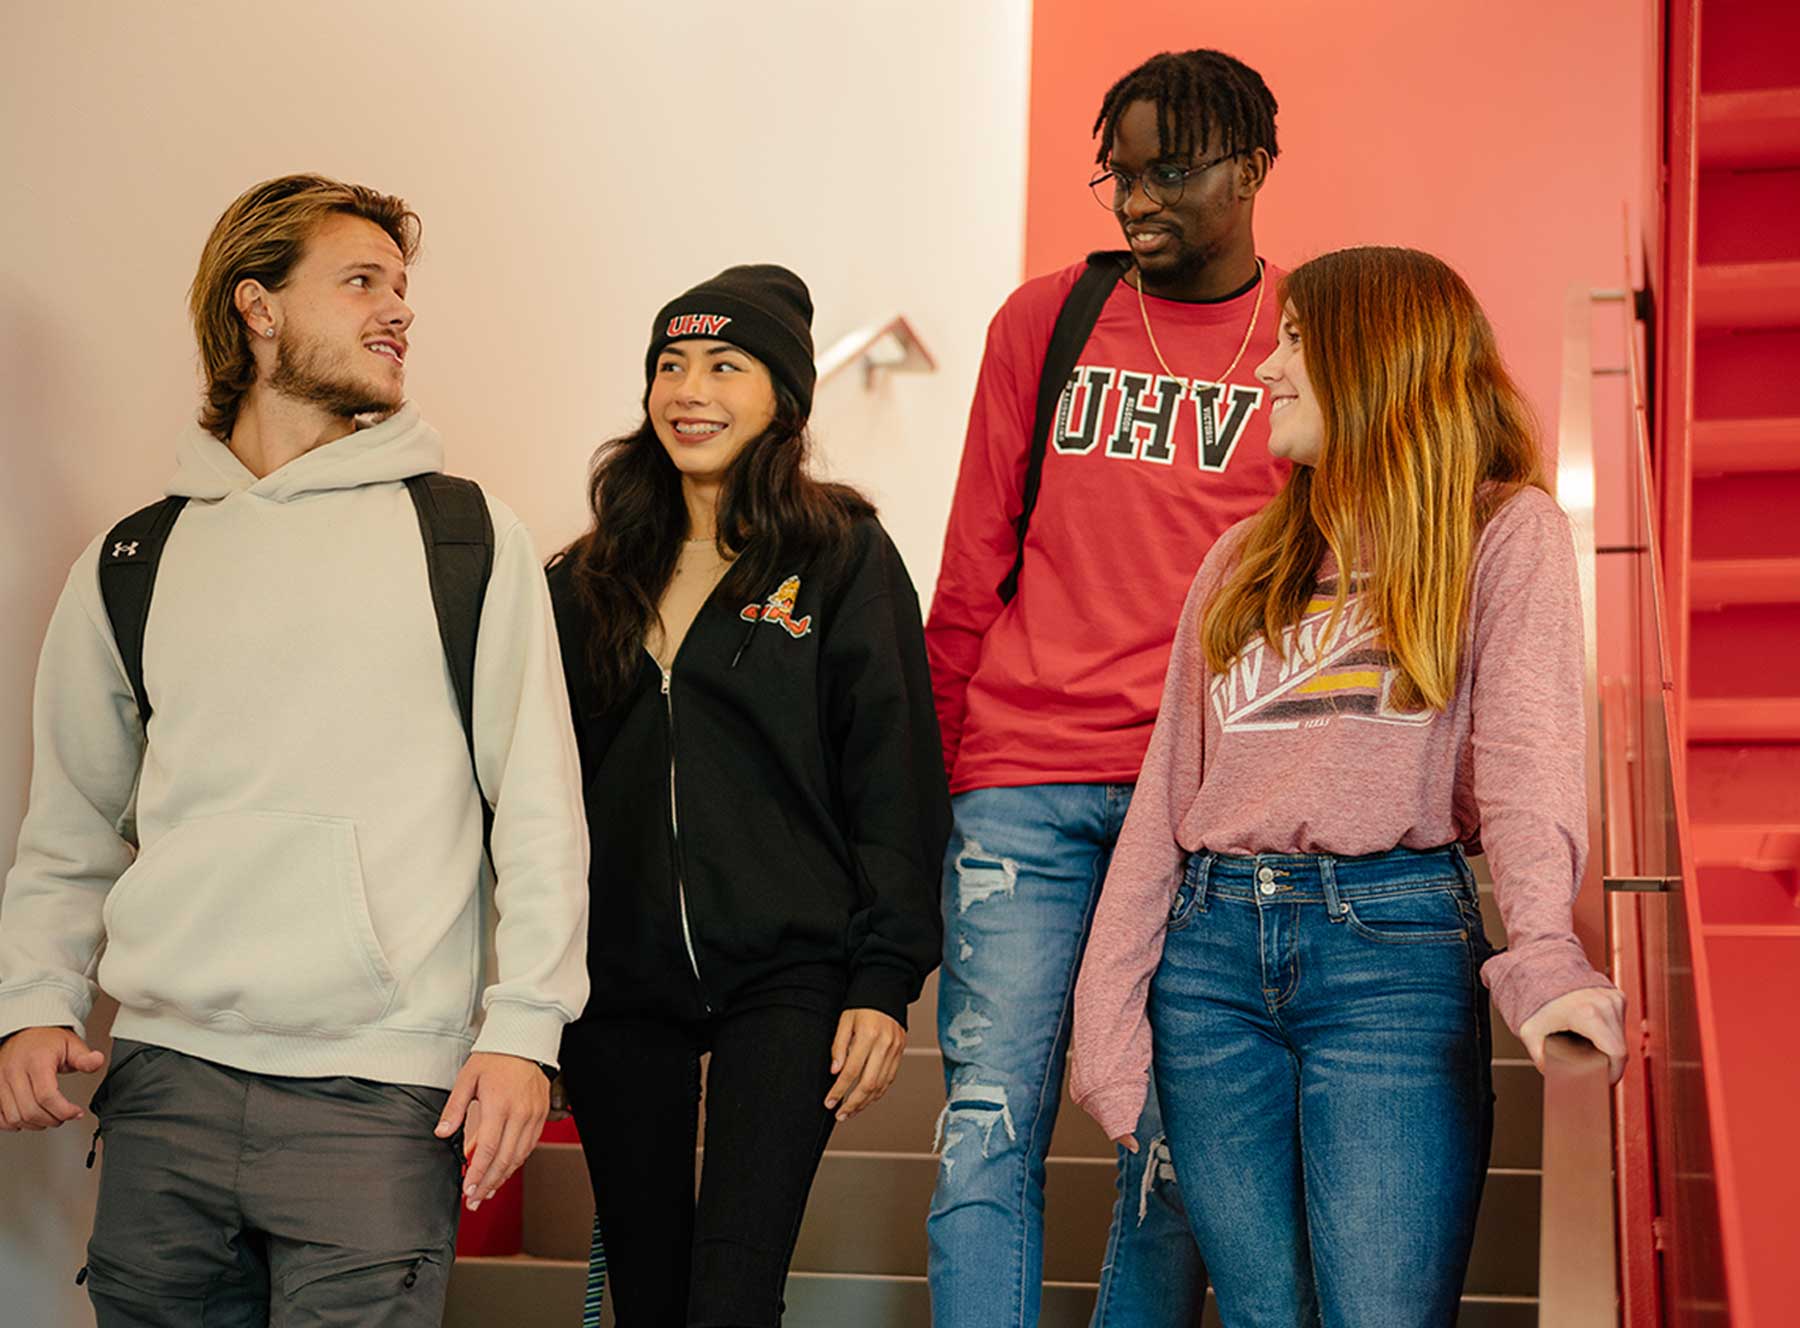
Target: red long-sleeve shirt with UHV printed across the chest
1142	476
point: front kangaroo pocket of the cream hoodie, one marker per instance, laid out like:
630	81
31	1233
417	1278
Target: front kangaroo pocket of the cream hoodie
249	917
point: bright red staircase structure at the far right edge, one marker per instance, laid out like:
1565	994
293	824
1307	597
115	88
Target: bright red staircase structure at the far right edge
1725	273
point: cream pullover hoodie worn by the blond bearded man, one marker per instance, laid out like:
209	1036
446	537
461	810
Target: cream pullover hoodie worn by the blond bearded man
287	875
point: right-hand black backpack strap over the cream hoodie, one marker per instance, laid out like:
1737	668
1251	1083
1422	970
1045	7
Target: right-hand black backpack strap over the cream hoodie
458	535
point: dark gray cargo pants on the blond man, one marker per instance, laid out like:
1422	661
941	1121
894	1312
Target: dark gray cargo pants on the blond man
233	1199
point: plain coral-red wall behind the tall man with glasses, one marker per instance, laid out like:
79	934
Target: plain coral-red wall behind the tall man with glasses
1507	139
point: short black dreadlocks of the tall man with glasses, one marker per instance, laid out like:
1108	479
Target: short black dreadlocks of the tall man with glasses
1201	96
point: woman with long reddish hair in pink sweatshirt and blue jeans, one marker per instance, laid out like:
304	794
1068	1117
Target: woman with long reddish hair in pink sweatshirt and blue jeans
1290	924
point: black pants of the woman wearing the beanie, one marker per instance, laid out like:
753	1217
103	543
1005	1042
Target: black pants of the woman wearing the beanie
634	1086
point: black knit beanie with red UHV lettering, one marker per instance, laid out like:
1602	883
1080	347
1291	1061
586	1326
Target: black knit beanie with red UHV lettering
760	309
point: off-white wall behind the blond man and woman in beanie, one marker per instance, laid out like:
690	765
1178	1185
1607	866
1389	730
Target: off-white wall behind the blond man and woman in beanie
575	168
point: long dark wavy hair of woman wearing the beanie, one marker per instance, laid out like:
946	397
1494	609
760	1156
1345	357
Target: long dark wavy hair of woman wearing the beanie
773	516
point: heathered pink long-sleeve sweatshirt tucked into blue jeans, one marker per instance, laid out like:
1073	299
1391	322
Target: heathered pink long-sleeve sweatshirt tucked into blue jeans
1308	755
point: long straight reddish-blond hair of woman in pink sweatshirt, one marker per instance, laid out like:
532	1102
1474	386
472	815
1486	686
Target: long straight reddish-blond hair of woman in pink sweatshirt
1426	435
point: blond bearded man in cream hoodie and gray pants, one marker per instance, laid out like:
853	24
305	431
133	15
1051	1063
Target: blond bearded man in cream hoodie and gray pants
327	1000
